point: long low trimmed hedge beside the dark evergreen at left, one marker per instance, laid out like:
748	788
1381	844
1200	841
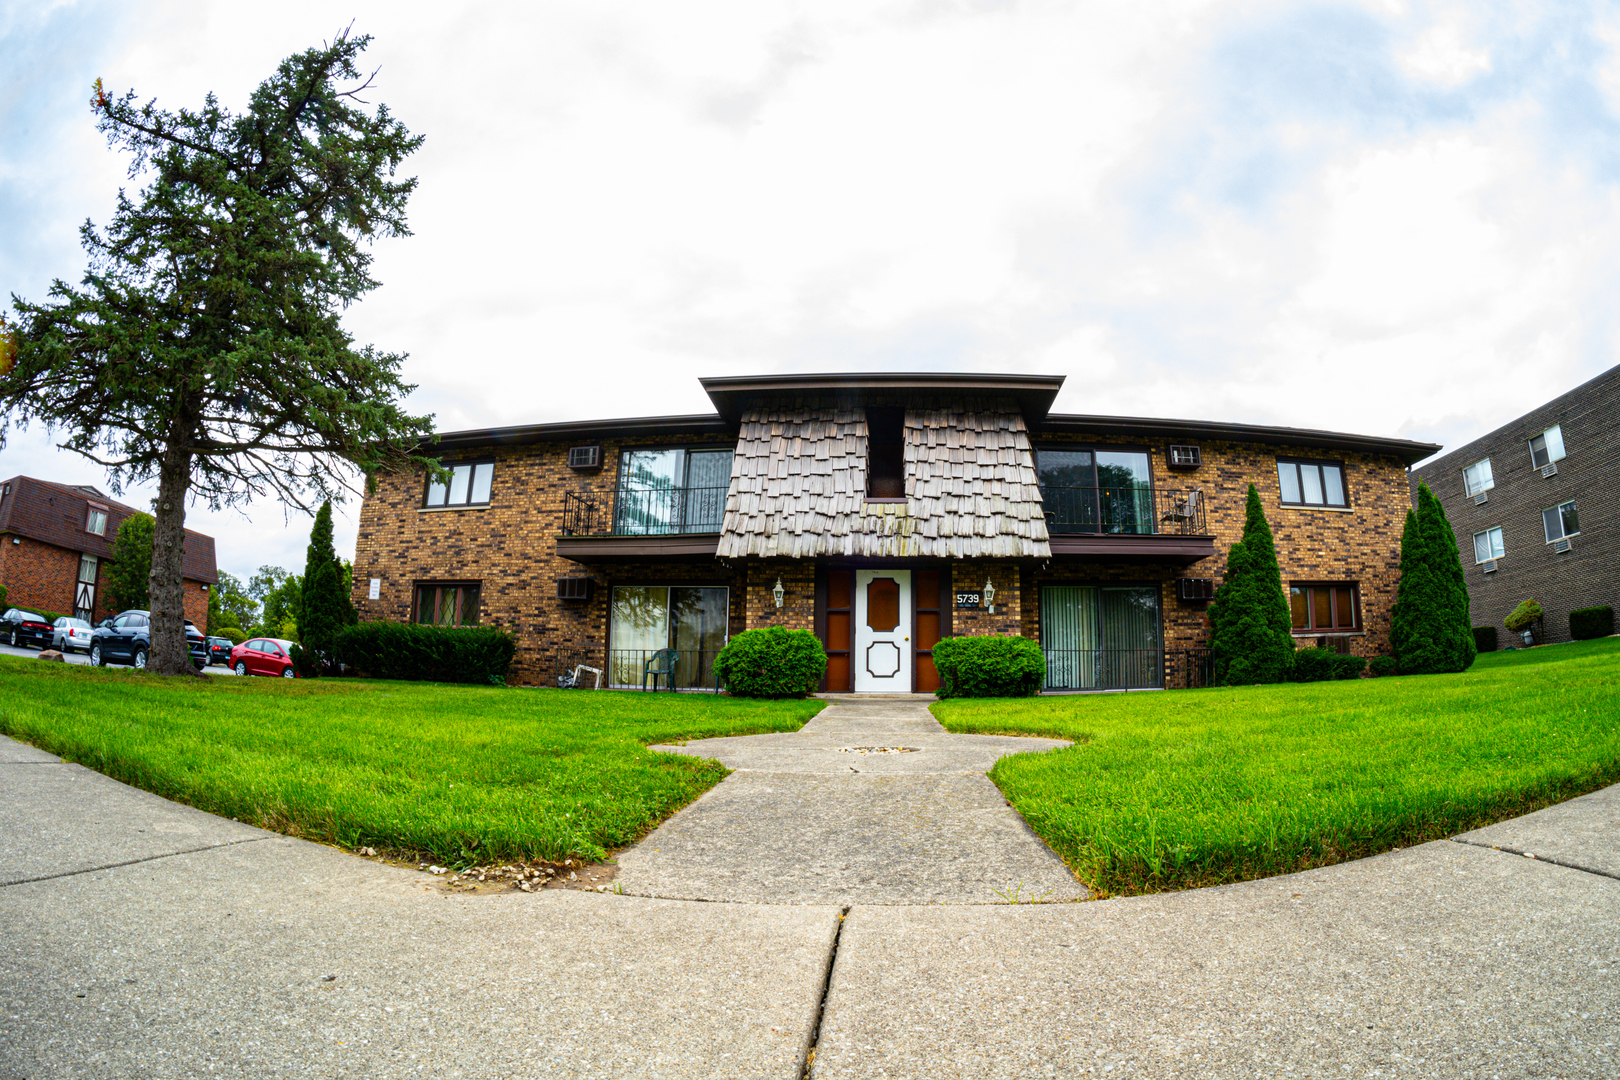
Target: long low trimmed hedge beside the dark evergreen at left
417	653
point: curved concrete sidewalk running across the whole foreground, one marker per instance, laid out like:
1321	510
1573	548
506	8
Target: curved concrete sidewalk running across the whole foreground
148	940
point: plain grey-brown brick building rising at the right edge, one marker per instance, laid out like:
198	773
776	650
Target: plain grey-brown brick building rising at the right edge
1537	509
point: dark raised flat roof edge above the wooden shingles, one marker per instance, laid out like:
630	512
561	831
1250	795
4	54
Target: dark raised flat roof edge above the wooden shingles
735	394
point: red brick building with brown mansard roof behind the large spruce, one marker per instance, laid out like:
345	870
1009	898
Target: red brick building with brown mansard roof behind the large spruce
58	540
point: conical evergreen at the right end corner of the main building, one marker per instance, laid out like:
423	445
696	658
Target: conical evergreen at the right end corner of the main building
1430	624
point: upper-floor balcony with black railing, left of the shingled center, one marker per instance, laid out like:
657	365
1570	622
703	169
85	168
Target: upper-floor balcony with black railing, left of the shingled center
642	524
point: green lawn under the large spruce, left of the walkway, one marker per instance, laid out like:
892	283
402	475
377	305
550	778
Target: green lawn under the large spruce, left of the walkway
454	775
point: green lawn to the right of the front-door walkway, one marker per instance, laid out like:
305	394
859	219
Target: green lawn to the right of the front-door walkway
1167	791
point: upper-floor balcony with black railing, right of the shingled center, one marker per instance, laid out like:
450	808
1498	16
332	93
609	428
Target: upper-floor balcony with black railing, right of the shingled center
1138	524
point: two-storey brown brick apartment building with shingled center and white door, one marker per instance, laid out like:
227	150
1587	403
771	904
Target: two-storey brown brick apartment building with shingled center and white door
882	506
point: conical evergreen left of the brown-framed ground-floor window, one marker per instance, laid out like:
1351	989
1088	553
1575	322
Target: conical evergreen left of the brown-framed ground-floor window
1251	639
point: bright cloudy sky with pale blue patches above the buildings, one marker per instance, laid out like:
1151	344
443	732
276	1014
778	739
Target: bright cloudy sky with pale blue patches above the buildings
1379	218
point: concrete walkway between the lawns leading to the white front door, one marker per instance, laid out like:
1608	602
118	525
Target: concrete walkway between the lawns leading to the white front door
872	802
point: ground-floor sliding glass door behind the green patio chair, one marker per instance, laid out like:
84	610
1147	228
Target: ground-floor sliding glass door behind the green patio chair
693	621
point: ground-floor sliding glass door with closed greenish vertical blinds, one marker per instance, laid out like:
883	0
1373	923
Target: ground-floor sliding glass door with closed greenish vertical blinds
1102	637
